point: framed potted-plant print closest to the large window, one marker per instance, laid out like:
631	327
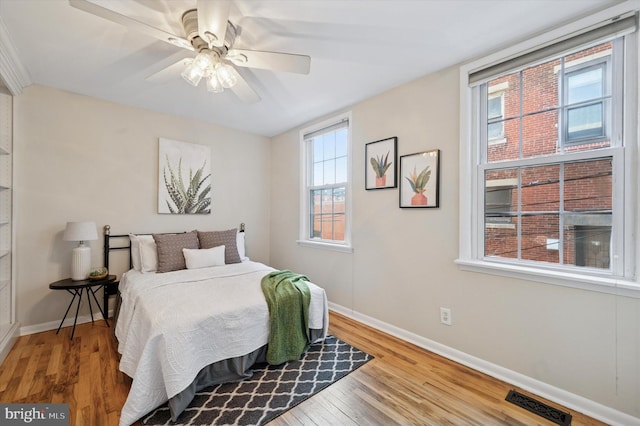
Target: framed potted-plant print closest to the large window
420	180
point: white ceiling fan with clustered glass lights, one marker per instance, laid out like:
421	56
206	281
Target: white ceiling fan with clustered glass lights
209	34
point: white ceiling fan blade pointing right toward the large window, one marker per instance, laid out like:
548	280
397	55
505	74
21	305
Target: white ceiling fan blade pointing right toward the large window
288	62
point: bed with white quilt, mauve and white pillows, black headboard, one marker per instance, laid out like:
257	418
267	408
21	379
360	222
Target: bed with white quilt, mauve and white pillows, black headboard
187	328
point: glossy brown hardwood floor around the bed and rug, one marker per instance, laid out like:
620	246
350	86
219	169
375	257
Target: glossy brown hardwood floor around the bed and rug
402	385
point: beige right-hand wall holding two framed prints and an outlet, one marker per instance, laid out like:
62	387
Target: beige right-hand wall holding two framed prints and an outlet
402	269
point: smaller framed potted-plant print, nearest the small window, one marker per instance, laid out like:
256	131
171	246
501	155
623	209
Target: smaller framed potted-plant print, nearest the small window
381	166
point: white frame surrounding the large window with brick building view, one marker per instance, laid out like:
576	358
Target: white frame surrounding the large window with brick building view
625	280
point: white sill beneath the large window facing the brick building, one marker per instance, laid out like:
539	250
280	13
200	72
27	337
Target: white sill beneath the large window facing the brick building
609	285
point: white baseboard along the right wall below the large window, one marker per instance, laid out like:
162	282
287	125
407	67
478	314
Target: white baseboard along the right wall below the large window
552	393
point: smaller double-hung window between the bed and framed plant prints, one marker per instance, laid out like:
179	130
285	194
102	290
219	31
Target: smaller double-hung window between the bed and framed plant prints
326	174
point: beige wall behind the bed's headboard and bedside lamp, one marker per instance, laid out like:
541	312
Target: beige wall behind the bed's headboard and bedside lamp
79	158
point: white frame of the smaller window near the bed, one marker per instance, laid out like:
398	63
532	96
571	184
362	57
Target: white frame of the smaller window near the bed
305	188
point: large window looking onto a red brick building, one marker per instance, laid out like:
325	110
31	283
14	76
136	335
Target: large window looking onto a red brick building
556	196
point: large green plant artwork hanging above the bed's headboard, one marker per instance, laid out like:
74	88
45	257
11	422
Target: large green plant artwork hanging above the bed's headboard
184	178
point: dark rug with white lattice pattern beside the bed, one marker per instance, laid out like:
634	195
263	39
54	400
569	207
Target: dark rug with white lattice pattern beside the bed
271	390
